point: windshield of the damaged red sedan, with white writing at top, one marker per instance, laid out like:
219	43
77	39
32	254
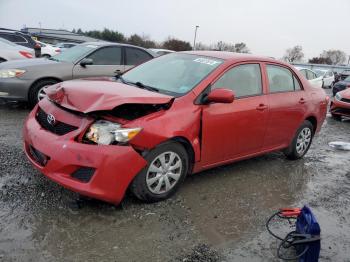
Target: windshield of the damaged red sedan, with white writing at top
174	73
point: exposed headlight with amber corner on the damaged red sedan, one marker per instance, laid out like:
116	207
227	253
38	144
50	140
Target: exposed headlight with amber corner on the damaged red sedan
104	132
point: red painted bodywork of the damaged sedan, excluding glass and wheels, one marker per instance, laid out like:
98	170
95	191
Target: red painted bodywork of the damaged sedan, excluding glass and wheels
216	133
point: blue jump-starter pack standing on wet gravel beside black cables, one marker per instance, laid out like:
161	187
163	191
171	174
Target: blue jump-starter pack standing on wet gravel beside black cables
307	224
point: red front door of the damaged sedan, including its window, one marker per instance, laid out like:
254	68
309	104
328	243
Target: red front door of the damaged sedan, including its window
237	129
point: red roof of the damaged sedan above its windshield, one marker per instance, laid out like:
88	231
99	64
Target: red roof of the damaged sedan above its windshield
231	56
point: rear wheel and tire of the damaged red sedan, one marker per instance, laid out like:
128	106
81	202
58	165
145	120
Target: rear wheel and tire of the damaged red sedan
301	141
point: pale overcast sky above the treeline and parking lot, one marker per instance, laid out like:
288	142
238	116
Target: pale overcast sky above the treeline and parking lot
268	27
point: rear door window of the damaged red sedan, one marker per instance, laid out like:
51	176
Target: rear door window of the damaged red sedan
280	79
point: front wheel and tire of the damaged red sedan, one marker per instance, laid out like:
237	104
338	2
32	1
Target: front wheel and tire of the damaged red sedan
150	185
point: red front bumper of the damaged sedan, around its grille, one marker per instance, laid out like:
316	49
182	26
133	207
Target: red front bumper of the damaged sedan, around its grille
108	170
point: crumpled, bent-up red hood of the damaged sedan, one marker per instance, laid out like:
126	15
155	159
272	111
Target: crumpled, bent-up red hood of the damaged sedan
89	95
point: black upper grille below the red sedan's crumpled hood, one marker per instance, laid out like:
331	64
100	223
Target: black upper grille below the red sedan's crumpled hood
58	128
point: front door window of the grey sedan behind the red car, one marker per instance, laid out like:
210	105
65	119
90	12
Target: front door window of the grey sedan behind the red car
107	56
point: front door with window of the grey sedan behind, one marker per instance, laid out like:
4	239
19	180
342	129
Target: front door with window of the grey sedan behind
107	61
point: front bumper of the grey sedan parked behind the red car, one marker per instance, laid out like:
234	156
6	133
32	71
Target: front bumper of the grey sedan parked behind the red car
14	89
